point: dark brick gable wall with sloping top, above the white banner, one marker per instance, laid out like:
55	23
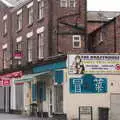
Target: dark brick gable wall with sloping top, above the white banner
106	38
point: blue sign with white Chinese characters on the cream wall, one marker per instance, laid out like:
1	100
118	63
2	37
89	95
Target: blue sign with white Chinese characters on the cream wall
88	84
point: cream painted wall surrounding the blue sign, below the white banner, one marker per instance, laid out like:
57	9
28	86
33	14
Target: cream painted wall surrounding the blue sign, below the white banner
73	101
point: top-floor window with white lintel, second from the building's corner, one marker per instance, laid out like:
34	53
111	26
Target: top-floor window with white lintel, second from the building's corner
30	13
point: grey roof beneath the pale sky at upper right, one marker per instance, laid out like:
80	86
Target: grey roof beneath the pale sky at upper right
101	15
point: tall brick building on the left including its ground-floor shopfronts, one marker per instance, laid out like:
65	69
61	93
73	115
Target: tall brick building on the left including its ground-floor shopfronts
33	35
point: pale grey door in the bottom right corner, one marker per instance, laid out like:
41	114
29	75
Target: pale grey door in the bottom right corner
115	107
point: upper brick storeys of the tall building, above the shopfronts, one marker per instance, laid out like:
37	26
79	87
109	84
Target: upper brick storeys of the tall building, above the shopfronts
39	29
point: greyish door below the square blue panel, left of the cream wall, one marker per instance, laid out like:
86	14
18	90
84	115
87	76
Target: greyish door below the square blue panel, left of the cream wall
58	89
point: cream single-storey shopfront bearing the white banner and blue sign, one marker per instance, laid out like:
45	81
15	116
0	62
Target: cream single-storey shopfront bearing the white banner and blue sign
92	87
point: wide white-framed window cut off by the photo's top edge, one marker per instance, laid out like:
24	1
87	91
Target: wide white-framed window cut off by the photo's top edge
67	3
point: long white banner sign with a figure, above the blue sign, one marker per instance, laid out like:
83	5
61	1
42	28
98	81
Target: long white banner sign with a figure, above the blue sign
94	64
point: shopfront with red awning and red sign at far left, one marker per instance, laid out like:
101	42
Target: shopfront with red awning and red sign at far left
6	85
